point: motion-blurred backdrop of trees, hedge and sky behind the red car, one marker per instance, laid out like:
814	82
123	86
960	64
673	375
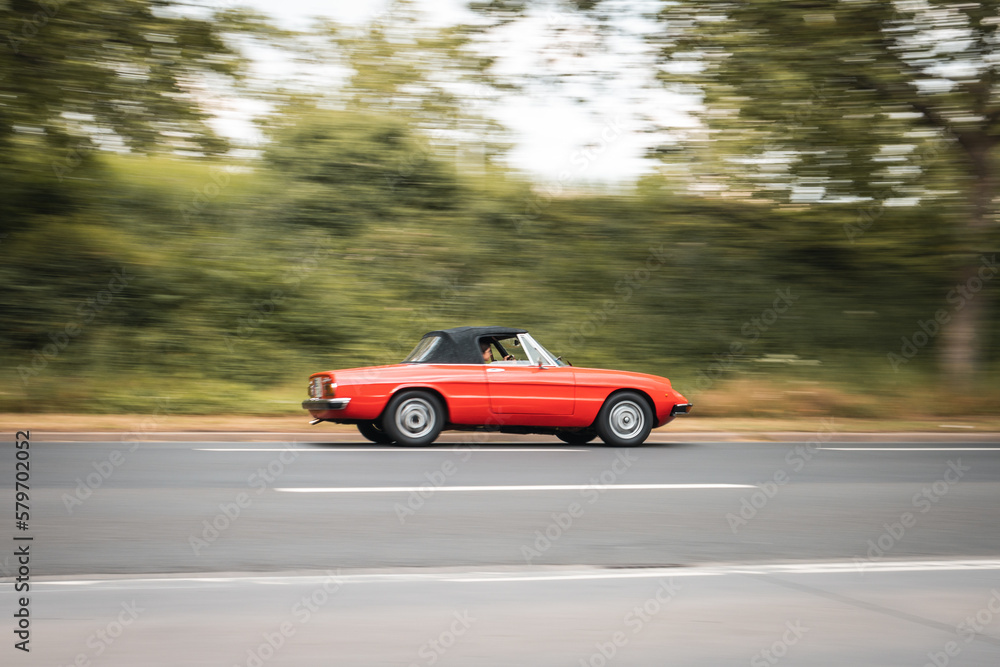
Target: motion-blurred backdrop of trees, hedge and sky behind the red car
786	208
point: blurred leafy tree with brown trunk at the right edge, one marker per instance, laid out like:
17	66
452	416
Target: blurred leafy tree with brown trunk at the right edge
872	101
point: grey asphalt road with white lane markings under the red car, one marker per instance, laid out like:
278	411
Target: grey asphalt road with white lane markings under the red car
528	553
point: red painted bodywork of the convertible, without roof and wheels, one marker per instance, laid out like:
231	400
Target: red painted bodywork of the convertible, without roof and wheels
496	395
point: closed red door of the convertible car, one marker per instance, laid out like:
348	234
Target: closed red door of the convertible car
531	390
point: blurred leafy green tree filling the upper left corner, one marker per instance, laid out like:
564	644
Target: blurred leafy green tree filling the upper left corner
124	75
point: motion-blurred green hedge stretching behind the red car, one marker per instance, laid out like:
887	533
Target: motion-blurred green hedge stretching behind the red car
228	307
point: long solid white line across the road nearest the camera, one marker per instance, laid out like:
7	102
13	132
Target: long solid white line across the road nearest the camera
521	575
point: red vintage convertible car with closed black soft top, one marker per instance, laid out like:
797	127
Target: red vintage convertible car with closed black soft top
492	378
